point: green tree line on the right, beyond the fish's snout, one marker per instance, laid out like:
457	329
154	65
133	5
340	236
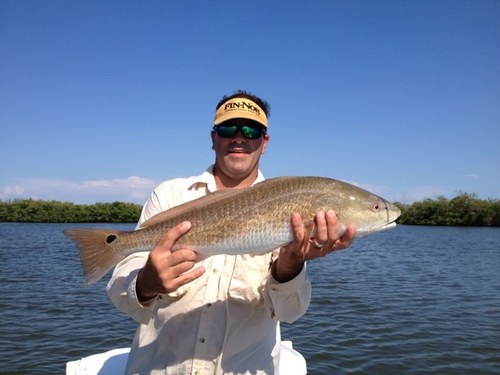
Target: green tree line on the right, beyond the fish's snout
463	210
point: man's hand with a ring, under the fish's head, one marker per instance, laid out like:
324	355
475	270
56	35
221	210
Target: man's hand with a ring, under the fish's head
311	240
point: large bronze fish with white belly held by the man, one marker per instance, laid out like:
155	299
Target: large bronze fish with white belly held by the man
239	221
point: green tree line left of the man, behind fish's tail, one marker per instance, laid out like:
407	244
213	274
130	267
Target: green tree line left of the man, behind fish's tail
39	211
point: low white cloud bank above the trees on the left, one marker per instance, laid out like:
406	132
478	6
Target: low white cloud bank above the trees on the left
131	189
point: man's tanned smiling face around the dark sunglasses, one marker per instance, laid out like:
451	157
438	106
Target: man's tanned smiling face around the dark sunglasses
238	156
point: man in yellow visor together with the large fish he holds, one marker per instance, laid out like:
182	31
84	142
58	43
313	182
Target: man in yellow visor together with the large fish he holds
218	260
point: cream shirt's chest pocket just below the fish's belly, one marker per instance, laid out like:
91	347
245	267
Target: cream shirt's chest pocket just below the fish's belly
249	277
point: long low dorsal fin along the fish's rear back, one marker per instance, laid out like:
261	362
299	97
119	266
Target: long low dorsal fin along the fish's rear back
211	198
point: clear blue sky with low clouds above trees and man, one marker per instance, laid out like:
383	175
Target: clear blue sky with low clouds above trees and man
102	100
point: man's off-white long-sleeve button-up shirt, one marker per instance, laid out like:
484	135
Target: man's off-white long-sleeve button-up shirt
225	322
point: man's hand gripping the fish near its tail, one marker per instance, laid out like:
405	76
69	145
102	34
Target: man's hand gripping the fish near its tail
165	271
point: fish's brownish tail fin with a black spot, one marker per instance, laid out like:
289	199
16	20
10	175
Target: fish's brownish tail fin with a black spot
96	253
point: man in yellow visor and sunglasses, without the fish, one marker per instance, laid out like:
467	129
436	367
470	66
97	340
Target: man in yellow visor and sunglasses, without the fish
221	314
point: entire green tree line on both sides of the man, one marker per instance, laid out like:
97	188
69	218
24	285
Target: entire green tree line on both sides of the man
463	210
